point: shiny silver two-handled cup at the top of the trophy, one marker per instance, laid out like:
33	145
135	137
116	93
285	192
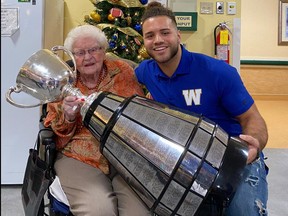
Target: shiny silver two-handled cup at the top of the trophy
44	76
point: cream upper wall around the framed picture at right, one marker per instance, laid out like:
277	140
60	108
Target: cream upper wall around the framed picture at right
259	31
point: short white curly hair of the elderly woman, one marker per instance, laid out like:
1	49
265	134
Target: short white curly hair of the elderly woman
85	31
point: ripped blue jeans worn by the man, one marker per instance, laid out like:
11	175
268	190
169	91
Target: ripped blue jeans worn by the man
252	194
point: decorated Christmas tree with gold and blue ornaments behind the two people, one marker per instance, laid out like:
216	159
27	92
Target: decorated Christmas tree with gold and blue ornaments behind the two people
120	20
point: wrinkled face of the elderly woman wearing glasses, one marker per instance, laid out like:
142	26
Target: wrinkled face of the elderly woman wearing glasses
89	55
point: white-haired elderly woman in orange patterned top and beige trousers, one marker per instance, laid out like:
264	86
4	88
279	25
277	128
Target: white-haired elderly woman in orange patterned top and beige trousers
83	171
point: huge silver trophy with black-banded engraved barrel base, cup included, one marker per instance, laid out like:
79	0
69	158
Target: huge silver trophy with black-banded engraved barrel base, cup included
171	158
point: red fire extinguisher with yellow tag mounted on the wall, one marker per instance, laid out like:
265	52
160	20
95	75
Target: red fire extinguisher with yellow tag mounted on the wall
222	42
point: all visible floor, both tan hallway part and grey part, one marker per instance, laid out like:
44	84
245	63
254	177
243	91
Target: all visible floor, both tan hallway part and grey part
275	114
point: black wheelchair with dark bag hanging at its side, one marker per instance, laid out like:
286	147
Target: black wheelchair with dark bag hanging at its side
46	151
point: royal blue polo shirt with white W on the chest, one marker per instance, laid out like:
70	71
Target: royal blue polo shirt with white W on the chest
201	84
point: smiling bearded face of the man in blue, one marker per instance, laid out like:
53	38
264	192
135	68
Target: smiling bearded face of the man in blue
161	38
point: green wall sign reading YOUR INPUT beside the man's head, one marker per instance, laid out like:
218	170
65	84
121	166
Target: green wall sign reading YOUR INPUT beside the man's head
186	21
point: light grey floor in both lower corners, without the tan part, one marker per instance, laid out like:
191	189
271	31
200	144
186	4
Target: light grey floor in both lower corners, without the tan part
277	160
